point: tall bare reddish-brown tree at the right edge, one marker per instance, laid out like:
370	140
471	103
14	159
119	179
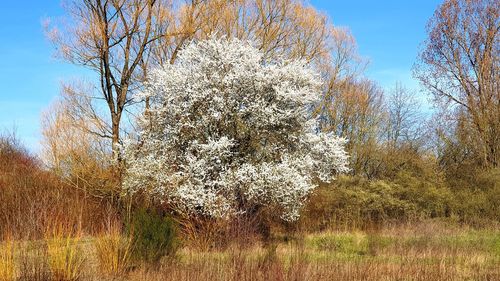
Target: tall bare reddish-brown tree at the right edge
460	66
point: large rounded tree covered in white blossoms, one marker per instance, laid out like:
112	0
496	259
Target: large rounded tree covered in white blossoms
228	132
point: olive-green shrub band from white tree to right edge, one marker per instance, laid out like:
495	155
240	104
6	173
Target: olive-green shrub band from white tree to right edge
354	202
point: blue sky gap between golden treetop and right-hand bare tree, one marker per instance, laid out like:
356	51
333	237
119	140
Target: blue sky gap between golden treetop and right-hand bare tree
388	33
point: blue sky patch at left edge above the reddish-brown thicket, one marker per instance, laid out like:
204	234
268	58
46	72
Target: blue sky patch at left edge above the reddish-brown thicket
29	73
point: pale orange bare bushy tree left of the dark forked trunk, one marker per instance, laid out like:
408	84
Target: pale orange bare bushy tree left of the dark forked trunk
80	158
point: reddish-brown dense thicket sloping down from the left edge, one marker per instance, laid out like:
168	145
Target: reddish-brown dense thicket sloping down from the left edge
32	198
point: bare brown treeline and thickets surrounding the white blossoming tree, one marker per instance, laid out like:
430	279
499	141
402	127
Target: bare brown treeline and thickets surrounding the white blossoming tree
407	164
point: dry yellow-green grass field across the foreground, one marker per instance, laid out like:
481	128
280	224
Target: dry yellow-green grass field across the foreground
427	251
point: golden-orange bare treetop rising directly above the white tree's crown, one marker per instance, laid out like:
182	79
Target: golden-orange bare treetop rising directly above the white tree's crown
277	27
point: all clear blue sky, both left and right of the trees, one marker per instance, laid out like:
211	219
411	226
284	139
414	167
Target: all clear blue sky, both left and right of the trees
388	33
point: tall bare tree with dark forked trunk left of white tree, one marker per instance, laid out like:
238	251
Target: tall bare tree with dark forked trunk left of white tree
112	38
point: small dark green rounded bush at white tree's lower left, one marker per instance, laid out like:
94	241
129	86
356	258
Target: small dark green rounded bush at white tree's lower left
154	236
